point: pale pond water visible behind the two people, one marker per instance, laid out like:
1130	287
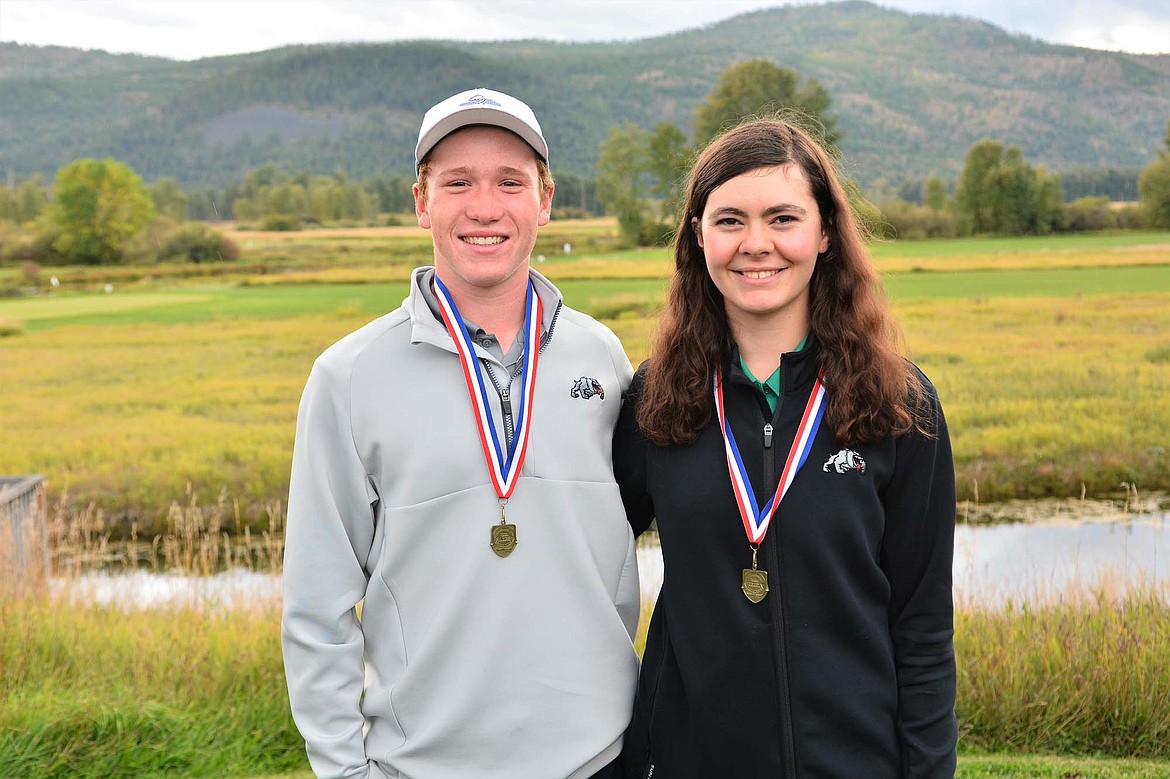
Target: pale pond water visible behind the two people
1055	555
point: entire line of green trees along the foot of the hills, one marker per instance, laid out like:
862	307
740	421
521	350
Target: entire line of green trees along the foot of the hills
102	212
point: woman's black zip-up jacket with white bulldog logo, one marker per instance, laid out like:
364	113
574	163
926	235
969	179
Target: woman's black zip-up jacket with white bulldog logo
846	668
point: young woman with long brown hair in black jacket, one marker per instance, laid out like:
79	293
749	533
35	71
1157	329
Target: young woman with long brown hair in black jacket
801	475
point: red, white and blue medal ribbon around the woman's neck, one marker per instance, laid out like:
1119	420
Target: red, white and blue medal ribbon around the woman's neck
756	520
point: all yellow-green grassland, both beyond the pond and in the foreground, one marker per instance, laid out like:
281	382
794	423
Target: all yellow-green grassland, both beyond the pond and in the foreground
1052	359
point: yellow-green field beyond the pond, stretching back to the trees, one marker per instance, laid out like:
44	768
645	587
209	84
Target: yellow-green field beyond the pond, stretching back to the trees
1052	359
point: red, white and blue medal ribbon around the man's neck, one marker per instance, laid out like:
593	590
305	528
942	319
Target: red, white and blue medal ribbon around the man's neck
505	470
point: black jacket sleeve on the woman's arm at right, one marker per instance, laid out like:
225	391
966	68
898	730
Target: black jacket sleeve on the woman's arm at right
918	553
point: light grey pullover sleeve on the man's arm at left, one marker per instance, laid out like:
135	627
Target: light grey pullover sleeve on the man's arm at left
328	540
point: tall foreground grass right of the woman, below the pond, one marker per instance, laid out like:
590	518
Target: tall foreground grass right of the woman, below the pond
1082	674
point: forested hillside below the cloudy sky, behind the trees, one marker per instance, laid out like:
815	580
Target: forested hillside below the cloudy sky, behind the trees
912	93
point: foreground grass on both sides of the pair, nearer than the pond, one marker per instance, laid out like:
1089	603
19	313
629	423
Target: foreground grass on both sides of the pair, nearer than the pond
98	693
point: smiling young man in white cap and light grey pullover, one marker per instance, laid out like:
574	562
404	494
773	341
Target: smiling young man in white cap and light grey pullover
452	475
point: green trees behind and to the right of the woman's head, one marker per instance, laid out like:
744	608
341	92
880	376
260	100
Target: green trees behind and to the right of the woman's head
642	174
